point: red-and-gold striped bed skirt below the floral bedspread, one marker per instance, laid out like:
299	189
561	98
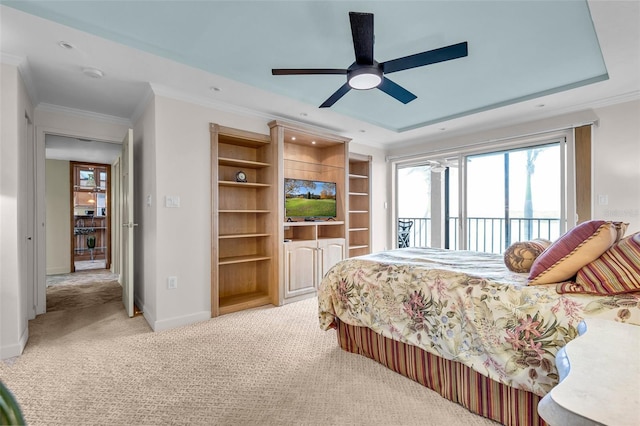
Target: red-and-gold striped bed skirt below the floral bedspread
453	380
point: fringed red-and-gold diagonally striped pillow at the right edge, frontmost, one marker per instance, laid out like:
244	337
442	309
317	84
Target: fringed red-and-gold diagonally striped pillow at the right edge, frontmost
617	271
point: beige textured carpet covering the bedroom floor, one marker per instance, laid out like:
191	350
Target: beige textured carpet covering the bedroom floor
268	366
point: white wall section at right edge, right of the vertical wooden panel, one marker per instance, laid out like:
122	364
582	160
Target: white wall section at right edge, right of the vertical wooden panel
616	164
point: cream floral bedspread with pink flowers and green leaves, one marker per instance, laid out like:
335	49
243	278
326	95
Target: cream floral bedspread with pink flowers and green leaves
468	307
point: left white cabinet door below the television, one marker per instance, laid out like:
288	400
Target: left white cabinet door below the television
301	268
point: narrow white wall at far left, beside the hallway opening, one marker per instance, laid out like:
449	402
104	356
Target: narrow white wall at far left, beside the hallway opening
14	312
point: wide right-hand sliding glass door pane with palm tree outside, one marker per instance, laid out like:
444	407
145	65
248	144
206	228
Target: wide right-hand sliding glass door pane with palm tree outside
513	196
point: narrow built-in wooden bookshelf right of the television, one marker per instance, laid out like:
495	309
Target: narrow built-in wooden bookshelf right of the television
359	205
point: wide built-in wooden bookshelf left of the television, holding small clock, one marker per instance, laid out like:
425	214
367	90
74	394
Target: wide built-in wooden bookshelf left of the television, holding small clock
245	220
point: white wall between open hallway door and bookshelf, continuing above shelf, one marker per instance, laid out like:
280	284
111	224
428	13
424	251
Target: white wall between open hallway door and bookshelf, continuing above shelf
183	237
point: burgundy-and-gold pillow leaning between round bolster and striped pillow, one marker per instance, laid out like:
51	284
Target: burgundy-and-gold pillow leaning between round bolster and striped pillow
579	246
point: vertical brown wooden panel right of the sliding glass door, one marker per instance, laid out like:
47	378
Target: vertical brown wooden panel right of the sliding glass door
583	173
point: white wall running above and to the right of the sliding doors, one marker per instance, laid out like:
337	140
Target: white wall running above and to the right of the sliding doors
616	154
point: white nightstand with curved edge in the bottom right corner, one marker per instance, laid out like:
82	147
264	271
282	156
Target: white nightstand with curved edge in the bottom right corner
599	377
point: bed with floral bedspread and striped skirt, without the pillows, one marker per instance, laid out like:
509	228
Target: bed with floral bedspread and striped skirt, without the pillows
462	324
